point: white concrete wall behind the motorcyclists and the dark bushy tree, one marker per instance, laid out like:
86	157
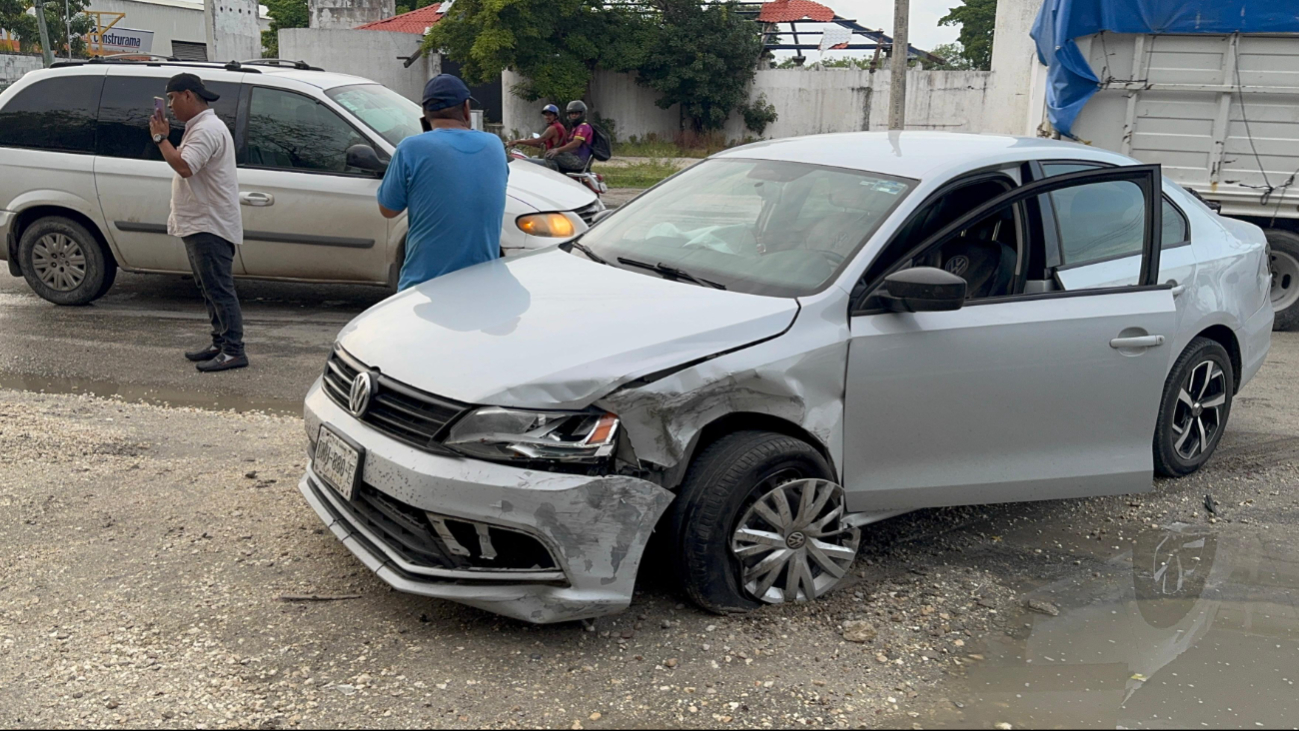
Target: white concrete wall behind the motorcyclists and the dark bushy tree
807	102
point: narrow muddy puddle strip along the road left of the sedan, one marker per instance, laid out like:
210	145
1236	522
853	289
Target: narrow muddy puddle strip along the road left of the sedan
150	394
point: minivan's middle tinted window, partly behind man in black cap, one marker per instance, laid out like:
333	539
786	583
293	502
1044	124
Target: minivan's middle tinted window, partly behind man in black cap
125	110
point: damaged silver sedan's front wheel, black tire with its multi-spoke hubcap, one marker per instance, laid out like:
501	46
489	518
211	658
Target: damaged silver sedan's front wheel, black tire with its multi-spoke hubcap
723	488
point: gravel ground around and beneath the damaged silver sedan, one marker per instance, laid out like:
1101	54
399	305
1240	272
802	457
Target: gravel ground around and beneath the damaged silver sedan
147	551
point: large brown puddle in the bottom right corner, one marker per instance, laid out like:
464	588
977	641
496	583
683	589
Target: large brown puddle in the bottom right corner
1189	629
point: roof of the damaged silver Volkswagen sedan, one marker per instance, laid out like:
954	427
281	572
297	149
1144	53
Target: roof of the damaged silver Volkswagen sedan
918	155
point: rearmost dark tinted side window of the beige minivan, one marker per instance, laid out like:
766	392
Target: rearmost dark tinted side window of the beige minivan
57	115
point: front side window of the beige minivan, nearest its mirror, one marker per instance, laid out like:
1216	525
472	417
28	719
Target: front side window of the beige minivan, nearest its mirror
293	132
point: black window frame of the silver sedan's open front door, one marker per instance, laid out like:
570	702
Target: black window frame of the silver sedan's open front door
1146	177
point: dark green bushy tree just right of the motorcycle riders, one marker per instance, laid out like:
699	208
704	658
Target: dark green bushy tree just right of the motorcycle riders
701	56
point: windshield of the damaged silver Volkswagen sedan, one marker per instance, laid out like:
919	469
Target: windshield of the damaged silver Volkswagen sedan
764	228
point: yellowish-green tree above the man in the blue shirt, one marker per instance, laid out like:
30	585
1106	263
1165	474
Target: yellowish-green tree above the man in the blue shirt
554	45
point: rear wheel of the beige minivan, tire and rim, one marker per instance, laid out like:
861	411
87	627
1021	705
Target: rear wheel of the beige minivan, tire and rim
64	263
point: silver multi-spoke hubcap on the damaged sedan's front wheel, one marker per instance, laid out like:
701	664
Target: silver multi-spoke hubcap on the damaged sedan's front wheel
793	543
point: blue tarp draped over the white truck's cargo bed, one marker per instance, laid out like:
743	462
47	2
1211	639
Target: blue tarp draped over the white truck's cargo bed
1071	81
